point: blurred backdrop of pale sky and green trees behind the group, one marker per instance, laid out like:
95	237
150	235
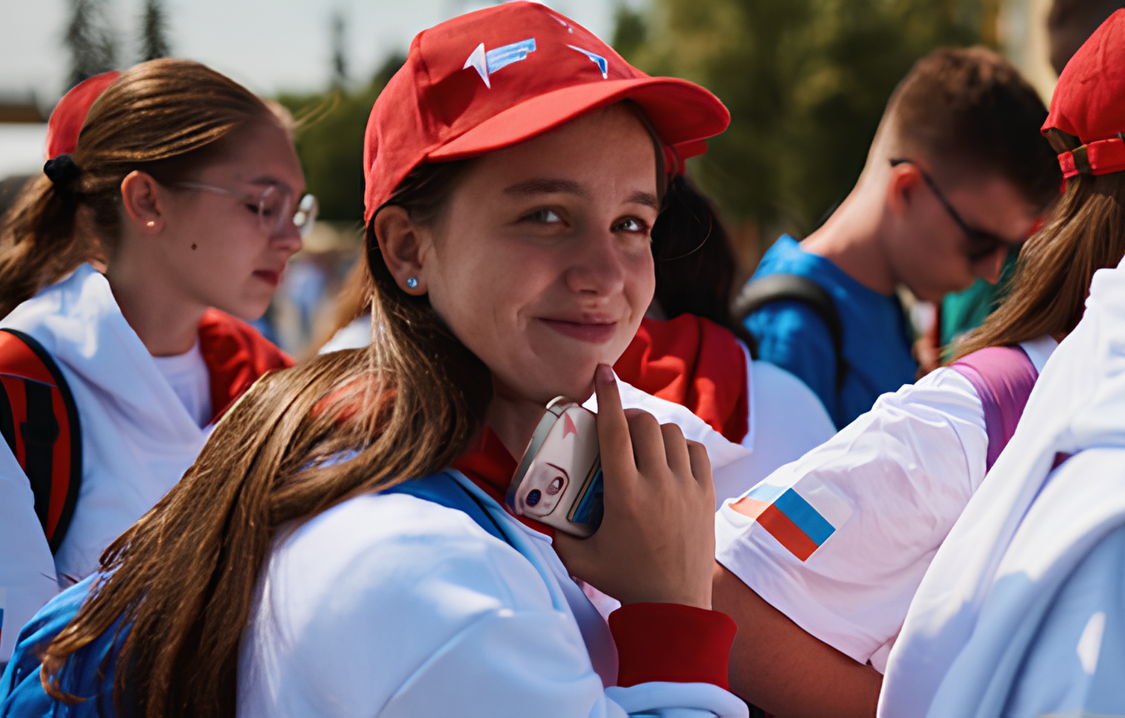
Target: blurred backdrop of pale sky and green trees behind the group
806	83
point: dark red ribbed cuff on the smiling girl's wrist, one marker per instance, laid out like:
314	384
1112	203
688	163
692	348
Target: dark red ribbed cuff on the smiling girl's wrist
673	643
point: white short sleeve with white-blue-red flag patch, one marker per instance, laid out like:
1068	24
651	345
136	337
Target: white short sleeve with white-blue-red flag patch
886	491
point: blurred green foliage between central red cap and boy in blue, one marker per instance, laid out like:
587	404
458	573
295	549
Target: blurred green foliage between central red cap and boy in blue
806	83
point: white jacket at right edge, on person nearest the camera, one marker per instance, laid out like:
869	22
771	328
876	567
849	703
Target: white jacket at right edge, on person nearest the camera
1023	609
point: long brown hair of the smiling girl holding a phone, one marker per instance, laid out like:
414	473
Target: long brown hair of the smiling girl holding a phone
184	577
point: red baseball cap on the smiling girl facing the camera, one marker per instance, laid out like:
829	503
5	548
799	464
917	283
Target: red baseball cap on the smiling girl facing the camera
493	78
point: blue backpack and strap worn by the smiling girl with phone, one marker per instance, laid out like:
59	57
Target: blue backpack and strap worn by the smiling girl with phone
91	672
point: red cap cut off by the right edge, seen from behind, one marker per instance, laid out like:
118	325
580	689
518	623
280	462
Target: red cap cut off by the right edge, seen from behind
1090	103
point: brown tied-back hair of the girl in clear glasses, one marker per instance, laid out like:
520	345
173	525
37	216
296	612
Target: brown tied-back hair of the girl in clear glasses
165	118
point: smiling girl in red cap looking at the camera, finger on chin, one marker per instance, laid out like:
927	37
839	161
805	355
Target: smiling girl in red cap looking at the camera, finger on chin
515	168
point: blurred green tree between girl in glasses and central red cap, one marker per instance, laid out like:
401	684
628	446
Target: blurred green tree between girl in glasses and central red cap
330	143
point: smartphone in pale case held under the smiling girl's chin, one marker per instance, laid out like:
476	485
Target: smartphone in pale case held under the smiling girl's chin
560	478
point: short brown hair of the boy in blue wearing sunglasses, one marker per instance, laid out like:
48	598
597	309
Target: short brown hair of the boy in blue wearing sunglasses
970	111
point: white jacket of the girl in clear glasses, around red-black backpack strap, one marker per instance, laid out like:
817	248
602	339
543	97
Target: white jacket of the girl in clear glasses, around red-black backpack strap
138	438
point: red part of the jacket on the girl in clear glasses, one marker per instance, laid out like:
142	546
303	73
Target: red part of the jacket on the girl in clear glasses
237	356
